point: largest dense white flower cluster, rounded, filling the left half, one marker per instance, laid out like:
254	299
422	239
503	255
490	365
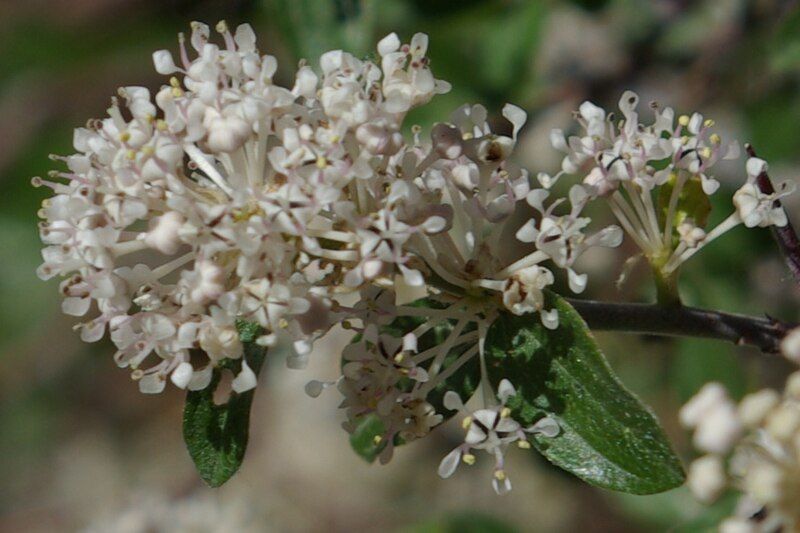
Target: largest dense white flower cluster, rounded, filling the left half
228	198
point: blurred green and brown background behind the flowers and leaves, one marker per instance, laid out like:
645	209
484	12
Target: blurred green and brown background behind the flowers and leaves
82	449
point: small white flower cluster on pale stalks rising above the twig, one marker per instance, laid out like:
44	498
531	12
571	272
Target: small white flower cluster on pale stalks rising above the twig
627	161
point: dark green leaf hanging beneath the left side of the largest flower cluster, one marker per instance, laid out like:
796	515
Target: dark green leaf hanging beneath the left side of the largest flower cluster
216	435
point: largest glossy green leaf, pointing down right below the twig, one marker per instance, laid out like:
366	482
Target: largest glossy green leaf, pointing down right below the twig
608	438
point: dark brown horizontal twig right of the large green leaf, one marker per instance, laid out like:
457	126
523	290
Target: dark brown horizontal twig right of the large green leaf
763	333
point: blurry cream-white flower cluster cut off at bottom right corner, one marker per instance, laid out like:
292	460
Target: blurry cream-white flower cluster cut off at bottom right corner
753	447
